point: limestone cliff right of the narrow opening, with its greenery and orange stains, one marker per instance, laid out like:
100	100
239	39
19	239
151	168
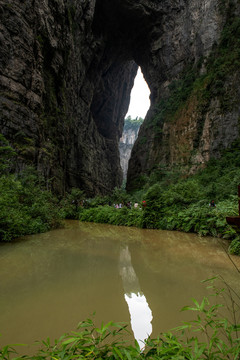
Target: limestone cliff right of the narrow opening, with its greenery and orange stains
193	73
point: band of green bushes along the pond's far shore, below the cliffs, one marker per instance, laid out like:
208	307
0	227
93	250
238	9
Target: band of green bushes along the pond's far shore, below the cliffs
173	202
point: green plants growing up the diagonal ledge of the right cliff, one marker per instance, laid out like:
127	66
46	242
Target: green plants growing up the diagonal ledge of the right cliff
223	61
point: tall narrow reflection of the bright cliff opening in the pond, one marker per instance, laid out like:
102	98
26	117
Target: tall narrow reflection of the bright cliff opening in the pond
140	313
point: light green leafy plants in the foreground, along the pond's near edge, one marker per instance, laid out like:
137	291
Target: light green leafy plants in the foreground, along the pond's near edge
209	336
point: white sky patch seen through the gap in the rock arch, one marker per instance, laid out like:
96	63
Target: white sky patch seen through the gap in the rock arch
139	101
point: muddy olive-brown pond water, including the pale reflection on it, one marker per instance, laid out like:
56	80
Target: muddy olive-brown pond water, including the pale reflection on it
50	282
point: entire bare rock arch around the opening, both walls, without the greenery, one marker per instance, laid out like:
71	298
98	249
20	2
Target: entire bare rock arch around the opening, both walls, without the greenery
66	72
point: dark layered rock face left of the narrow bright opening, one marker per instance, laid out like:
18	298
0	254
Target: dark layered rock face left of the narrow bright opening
65	90
